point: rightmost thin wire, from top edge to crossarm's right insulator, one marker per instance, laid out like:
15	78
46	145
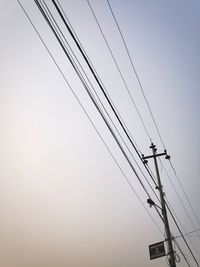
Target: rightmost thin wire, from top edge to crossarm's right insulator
136	74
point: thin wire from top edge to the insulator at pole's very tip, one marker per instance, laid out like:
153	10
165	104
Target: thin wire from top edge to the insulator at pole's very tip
119	71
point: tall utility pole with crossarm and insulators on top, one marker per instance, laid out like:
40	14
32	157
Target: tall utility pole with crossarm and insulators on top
172	261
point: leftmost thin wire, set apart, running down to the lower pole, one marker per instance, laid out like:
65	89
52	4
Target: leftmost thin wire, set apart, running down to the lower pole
87	115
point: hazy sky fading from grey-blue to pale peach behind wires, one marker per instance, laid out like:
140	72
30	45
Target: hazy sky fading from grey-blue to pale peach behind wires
64	200
